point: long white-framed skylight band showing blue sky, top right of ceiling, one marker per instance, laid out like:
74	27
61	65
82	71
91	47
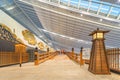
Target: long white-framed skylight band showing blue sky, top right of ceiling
103	6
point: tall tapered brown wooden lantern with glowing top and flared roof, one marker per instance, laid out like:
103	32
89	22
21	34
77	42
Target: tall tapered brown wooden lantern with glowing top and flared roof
98	57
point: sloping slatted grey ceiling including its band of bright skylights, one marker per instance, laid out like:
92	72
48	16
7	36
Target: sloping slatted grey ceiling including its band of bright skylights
65	24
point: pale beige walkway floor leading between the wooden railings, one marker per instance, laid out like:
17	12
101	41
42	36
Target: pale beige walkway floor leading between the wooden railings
59	68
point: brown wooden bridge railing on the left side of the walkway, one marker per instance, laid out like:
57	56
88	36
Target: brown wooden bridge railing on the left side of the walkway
39	58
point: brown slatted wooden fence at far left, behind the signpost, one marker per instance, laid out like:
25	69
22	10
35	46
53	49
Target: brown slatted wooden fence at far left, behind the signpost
8	58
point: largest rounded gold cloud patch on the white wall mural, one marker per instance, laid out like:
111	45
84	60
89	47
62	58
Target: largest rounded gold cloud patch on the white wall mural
28	36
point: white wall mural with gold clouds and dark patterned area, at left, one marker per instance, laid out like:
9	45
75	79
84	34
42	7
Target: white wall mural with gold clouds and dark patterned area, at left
16	32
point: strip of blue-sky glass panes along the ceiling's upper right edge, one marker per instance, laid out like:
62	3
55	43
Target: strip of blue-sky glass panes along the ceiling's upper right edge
96	6
